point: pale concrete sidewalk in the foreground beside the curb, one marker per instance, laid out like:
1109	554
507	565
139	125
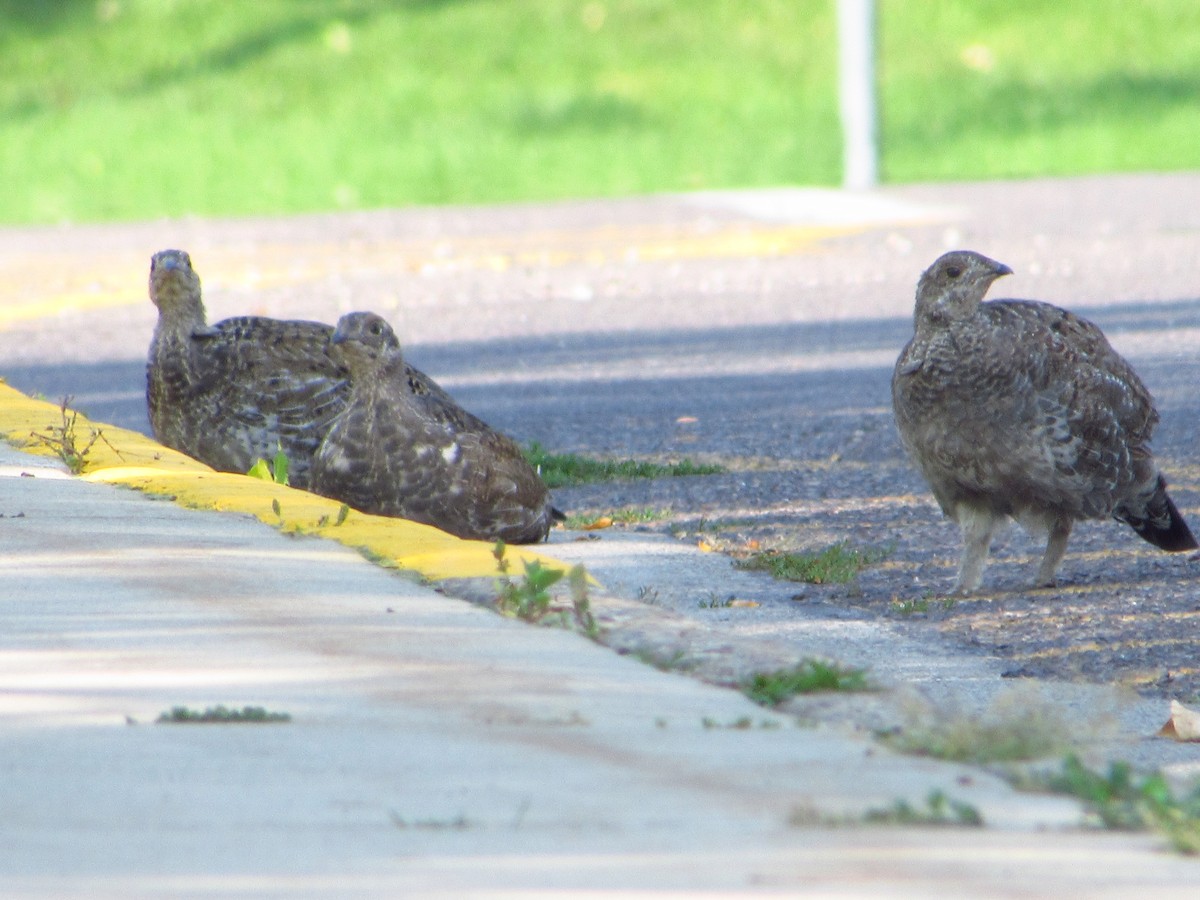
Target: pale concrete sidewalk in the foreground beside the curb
435	748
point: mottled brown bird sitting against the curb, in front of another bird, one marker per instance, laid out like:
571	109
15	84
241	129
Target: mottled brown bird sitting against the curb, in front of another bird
398	454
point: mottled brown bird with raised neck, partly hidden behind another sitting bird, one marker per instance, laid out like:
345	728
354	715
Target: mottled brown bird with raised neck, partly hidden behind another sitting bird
237	392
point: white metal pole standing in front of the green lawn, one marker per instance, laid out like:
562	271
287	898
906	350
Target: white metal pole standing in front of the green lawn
856	88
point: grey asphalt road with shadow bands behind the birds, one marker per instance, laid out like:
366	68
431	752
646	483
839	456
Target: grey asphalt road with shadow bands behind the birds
755	329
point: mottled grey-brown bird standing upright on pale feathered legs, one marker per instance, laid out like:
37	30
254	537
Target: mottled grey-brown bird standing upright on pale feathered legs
1019	409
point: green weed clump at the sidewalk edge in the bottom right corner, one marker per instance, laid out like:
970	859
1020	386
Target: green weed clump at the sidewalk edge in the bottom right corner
1120	801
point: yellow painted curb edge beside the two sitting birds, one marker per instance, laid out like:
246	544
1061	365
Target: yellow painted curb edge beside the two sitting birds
127	458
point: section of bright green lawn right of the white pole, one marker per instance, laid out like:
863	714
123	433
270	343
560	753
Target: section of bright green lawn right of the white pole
1009	88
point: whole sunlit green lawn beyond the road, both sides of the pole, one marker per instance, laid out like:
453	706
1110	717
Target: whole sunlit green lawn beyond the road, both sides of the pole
146	109
